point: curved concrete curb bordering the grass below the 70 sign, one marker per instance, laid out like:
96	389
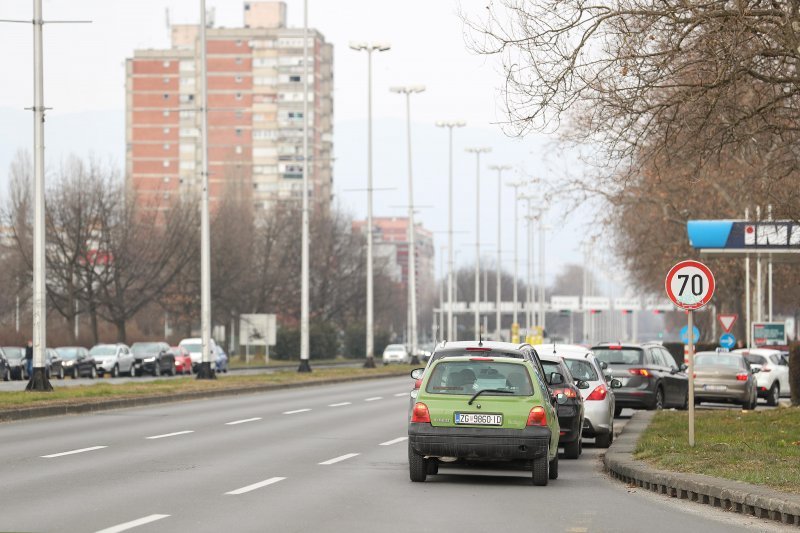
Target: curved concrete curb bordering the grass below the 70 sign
755	500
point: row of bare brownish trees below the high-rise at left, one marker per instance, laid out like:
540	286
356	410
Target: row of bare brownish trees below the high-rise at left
120	263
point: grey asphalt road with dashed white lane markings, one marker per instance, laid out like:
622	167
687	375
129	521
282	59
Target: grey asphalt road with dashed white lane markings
327	458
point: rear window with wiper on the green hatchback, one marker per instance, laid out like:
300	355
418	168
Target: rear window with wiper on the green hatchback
469	377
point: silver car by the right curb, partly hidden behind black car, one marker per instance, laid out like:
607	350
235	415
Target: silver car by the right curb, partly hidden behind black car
598	399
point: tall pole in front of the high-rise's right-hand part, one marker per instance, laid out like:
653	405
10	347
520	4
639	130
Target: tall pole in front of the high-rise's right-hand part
304	285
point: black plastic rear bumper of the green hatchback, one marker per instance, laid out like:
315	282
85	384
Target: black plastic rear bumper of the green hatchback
479	443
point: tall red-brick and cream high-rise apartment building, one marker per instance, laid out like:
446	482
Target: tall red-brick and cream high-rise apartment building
255	113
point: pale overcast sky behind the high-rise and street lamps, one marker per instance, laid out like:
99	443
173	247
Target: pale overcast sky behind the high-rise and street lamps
85	86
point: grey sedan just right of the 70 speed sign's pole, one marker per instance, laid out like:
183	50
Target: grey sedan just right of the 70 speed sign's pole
722	377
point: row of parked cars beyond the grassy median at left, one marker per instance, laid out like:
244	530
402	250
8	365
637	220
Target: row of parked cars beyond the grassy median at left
153	358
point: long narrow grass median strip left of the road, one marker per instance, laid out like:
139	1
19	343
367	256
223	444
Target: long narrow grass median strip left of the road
105	389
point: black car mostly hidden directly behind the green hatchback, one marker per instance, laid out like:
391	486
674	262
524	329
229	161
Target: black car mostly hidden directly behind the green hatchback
566	391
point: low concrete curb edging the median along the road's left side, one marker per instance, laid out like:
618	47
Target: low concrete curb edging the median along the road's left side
26	413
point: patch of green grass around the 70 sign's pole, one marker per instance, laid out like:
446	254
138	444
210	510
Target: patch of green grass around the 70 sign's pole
760	447
